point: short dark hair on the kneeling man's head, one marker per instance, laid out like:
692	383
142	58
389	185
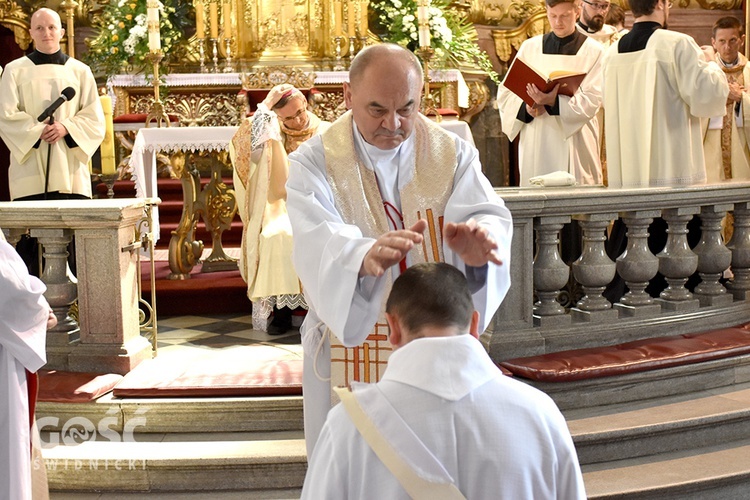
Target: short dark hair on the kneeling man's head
431	294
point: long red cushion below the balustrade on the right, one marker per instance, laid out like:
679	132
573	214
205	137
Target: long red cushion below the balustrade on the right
631	357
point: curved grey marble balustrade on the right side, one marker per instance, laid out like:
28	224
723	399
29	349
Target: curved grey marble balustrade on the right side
532	321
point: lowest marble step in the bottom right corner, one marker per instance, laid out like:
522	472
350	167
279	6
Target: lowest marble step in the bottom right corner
712	472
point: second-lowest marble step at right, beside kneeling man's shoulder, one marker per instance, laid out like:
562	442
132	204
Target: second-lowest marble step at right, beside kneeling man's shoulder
667	424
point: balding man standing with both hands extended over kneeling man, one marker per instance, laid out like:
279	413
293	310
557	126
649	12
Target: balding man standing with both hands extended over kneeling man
384	188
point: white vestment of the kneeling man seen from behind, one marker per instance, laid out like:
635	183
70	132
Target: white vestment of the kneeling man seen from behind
495	437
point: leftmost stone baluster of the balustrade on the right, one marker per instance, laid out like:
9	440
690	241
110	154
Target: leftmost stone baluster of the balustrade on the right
550	272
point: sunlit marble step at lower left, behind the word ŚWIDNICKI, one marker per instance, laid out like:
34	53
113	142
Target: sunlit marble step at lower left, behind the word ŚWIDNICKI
183	462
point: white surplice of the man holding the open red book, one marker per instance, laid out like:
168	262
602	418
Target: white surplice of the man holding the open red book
568	142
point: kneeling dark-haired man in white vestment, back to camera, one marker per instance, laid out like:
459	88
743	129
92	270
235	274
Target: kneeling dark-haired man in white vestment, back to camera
459	427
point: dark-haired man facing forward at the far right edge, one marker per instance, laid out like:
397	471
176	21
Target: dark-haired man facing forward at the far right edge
726	141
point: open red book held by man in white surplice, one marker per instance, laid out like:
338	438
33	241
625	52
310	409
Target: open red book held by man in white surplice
522	73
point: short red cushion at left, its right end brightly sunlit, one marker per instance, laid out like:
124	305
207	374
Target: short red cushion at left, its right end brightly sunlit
73	387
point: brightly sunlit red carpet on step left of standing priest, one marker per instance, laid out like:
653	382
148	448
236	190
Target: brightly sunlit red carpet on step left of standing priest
232	371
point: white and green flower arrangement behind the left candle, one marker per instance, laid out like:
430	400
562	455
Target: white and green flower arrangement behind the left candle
121	44
